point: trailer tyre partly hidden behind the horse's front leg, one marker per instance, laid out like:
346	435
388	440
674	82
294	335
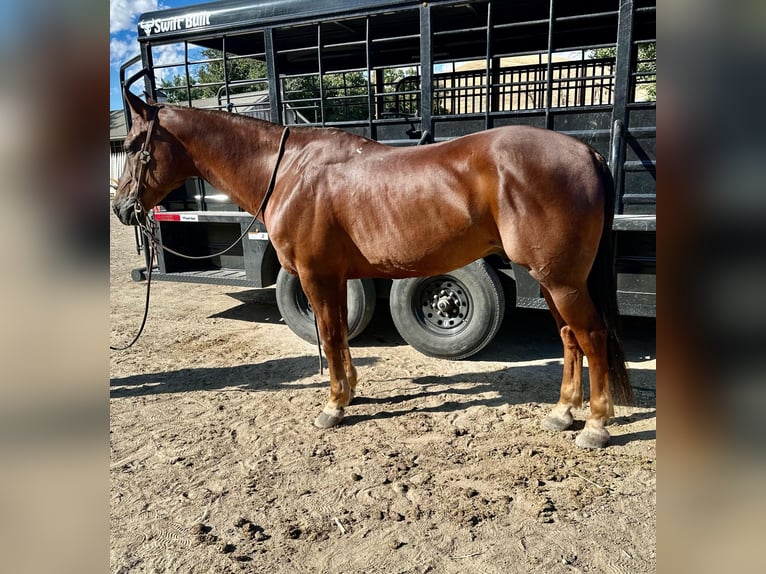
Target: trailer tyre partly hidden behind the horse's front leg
298	315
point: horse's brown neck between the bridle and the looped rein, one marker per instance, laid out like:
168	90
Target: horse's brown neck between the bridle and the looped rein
235	154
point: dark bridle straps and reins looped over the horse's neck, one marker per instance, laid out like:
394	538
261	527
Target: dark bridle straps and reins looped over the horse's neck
147	227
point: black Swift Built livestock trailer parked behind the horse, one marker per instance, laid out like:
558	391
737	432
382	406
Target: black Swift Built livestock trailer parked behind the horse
405	73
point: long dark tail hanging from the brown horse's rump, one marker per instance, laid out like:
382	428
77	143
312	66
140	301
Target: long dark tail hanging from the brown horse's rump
602	285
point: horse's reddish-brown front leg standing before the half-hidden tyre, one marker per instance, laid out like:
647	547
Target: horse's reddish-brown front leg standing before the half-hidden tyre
328	299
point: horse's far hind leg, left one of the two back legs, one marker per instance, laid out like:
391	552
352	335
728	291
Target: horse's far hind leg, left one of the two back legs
560	417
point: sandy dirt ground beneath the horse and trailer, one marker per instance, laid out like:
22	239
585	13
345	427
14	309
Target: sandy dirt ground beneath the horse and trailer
438	467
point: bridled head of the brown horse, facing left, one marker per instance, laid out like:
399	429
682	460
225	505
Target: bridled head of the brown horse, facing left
155	162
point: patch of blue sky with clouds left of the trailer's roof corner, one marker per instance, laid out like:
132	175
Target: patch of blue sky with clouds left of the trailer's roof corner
123	17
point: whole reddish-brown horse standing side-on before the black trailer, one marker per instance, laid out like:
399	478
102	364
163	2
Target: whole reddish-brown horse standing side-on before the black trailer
345	207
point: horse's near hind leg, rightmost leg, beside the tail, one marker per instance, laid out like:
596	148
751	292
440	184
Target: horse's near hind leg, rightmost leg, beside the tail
589	332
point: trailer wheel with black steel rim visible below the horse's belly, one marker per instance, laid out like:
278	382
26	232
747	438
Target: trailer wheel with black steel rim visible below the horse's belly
451	316
